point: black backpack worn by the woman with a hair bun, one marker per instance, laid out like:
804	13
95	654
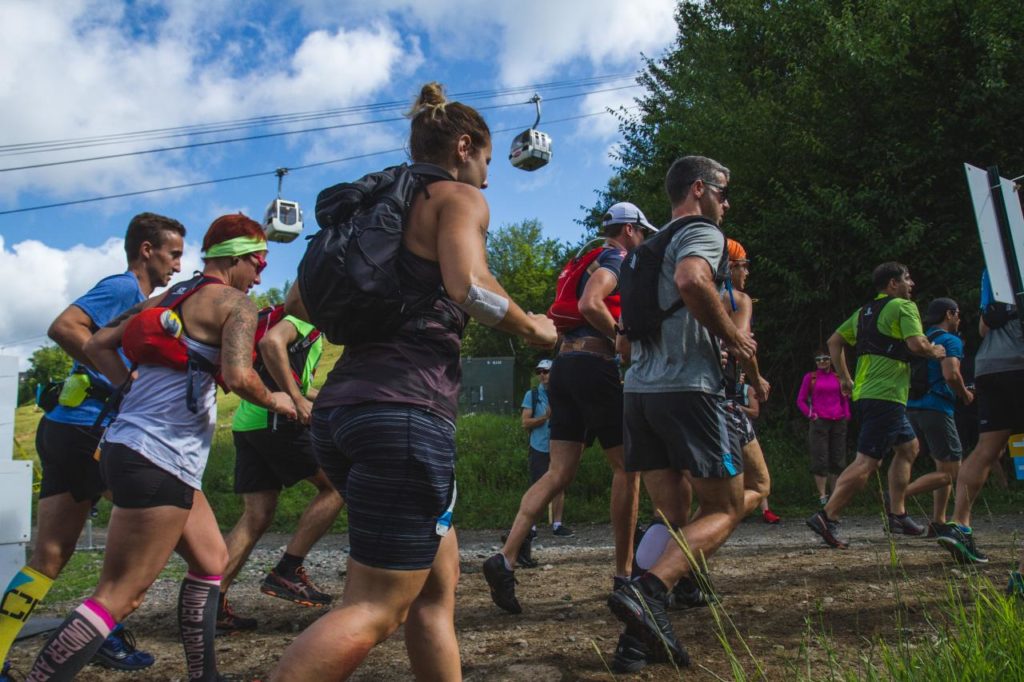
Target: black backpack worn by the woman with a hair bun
349	278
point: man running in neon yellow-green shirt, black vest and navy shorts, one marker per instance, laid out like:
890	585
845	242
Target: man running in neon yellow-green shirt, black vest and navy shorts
886	333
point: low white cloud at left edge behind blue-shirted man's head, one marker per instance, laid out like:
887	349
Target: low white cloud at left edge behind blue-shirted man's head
39	282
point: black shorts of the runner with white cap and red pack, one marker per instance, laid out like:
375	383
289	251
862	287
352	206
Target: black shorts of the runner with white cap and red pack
586	398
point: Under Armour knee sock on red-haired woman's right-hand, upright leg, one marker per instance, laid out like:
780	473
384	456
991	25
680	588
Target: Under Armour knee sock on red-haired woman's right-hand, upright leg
198	619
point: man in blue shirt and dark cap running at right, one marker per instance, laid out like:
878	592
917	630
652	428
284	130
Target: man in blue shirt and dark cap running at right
932	414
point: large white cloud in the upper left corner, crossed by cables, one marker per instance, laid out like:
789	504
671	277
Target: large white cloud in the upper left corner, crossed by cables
83	69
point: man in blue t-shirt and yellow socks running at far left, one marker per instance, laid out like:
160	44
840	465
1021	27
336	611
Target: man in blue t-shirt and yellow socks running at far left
67	442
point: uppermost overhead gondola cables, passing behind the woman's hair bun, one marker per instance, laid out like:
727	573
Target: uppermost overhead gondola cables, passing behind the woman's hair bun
279	119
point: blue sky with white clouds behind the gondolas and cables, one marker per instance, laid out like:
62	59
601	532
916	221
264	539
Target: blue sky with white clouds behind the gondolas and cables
78	69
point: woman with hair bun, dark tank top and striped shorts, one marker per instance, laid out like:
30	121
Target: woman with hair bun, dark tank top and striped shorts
383	424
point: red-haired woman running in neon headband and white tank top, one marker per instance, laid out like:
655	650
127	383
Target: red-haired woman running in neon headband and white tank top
154	455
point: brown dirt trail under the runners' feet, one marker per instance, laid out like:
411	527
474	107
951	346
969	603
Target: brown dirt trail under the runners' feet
777	583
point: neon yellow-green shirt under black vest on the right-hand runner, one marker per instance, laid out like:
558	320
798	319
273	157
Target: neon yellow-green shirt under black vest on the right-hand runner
878	377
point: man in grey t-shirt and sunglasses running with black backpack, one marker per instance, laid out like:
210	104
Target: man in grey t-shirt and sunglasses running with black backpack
676	417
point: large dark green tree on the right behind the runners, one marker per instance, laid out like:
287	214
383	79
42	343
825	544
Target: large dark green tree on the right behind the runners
846	126
